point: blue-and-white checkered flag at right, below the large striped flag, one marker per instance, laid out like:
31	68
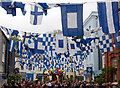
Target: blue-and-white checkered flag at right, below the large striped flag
106	43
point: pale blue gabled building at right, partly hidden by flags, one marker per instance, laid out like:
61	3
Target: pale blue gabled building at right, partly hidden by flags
95	59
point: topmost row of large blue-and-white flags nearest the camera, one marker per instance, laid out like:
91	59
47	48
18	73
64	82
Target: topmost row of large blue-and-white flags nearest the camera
71	15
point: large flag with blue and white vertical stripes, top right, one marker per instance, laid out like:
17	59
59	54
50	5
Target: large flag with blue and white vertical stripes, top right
108	16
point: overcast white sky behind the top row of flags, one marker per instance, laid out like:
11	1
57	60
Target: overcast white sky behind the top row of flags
49	23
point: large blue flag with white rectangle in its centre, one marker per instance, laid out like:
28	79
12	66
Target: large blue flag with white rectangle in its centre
72	20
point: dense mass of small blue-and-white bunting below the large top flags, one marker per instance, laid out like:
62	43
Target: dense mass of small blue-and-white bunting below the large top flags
81	47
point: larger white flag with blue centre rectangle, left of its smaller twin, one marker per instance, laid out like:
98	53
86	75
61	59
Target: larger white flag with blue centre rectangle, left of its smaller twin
61	44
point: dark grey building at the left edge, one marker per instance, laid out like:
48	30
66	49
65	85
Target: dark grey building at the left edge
7	59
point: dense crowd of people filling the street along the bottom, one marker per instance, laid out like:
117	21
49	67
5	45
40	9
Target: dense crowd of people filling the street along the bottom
56	84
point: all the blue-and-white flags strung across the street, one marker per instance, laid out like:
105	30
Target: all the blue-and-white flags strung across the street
44	51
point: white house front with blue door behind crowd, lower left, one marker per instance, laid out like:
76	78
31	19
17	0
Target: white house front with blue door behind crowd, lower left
27	72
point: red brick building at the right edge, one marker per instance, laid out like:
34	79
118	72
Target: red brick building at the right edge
112	59
